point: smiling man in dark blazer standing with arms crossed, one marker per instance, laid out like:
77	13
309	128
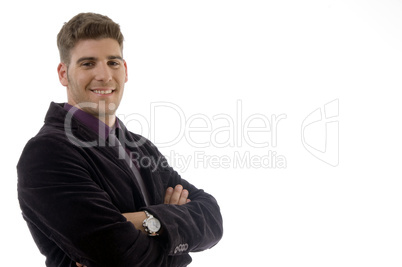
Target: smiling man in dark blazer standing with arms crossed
93	193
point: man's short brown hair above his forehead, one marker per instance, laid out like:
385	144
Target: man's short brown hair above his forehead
85	26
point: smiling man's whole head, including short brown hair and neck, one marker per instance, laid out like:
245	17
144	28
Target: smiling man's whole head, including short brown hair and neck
92	67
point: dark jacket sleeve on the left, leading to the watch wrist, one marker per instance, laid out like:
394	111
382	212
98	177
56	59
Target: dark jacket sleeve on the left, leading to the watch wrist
58	197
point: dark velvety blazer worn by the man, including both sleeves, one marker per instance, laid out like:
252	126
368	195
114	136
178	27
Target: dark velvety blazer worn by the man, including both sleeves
72	196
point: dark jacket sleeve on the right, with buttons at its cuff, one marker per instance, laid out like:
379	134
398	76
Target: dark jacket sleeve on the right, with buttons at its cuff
192	227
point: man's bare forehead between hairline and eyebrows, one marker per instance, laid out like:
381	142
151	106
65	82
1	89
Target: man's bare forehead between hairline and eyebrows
96	48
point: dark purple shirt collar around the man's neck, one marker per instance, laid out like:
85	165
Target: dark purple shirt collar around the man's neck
91	121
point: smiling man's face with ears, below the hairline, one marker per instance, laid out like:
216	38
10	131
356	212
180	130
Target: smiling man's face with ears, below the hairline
95	77
